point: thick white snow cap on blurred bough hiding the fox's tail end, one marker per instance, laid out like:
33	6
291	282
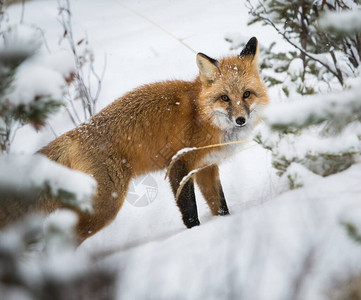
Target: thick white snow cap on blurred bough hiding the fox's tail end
26	172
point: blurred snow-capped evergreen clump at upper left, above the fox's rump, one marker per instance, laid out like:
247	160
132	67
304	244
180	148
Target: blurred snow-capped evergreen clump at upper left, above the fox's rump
31	83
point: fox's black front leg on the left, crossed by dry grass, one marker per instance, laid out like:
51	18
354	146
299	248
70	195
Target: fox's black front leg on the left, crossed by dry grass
186	200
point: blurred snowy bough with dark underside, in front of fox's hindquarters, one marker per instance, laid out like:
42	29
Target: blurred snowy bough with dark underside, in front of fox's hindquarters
25	178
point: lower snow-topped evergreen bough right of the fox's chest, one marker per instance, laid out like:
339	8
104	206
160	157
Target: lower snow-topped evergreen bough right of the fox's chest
321	155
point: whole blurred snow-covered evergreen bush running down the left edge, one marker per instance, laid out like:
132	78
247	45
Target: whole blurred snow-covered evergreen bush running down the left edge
32	88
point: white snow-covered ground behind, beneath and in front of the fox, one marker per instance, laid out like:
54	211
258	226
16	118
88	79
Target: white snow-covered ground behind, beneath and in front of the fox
273	246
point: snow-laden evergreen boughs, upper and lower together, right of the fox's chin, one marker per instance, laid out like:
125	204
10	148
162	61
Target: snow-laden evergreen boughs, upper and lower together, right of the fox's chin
321	133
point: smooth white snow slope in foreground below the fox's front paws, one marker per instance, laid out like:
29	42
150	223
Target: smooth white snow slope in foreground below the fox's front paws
277	251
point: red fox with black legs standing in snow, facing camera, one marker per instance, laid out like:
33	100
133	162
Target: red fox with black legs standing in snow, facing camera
141	131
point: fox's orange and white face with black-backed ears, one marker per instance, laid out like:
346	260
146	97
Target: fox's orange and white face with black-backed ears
232	94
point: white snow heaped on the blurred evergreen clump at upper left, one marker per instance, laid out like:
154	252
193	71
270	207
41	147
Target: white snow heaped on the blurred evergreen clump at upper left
40	77
